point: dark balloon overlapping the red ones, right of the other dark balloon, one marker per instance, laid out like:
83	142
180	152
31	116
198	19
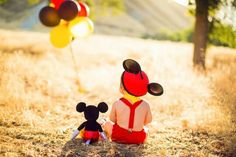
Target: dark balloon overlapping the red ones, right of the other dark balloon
68	10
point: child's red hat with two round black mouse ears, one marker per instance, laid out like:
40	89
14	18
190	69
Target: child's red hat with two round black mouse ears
136	82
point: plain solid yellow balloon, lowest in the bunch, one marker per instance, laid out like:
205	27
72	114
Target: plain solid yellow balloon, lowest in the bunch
60	36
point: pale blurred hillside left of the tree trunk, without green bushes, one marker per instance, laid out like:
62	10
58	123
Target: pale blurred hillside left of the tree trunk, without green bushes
134	18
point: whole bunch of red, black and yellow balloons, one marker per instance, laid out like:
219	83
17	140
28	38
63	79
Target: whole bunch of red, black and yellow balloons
69	19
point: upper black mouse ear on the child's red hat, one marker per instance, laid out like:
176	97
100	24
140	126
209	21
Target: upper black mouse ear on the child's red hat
131	66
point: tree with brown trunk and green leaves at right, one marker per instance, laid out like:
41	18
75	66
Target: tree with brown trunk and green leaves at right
206	23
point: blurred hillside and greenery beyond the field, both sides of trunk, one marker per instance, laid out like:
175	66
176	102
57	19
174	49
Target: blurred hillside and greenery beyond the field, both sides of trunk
155	19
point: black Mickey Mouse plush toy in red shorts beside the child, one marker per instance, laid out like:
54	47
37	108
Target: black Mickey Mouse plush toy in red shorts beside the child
91	126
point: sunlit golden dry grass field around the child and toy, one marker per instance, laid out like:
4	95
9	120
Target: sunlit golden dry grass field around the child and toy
196	115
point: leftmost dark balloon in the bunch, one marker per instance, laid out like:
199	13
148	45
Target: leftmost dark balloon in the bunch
49	16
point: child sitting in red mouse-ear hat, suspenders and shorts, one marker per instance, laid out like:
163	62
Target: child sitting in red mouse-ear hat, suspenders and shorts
130	113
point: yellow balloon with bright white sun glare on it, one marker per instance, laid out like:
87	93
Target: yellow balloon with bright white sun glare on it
81	27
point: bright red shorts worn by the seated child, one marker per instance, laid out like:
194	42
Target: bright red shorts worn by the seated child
122	135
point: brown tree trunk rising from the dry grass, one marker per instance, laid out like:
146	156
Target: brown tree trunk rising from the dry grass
200	33
